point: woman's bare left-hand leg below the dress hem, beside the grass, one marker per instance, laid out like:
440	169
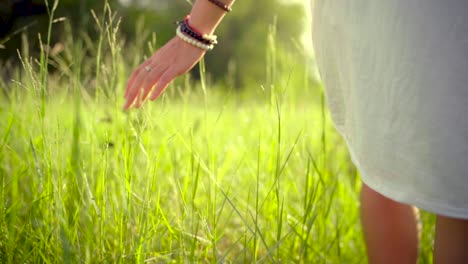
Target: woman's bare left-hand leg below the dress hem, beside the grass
390	229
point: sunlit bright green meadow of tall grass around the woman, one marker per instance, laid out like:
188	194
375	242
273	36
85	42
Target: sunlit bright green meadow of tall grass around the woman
205	174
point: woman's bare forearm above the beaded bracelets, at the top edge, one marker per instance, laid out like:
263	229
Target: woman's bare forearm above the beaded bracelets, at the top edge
205	16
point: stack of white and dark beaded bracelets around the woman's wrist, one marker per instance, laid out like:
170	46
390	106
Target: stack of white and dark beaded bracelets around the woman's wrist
194	37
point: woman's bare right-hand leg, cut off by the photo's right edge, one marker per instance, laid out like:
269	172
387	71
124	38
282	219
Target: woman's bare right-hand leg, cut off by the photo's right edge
451	242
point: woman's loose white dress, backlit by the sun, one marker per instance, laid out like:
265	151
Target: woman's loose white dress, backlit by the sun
396	78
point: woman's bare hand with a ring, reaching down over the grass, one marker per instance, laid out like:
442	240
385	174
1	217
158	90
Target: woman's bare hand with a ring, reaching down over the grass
173	59
